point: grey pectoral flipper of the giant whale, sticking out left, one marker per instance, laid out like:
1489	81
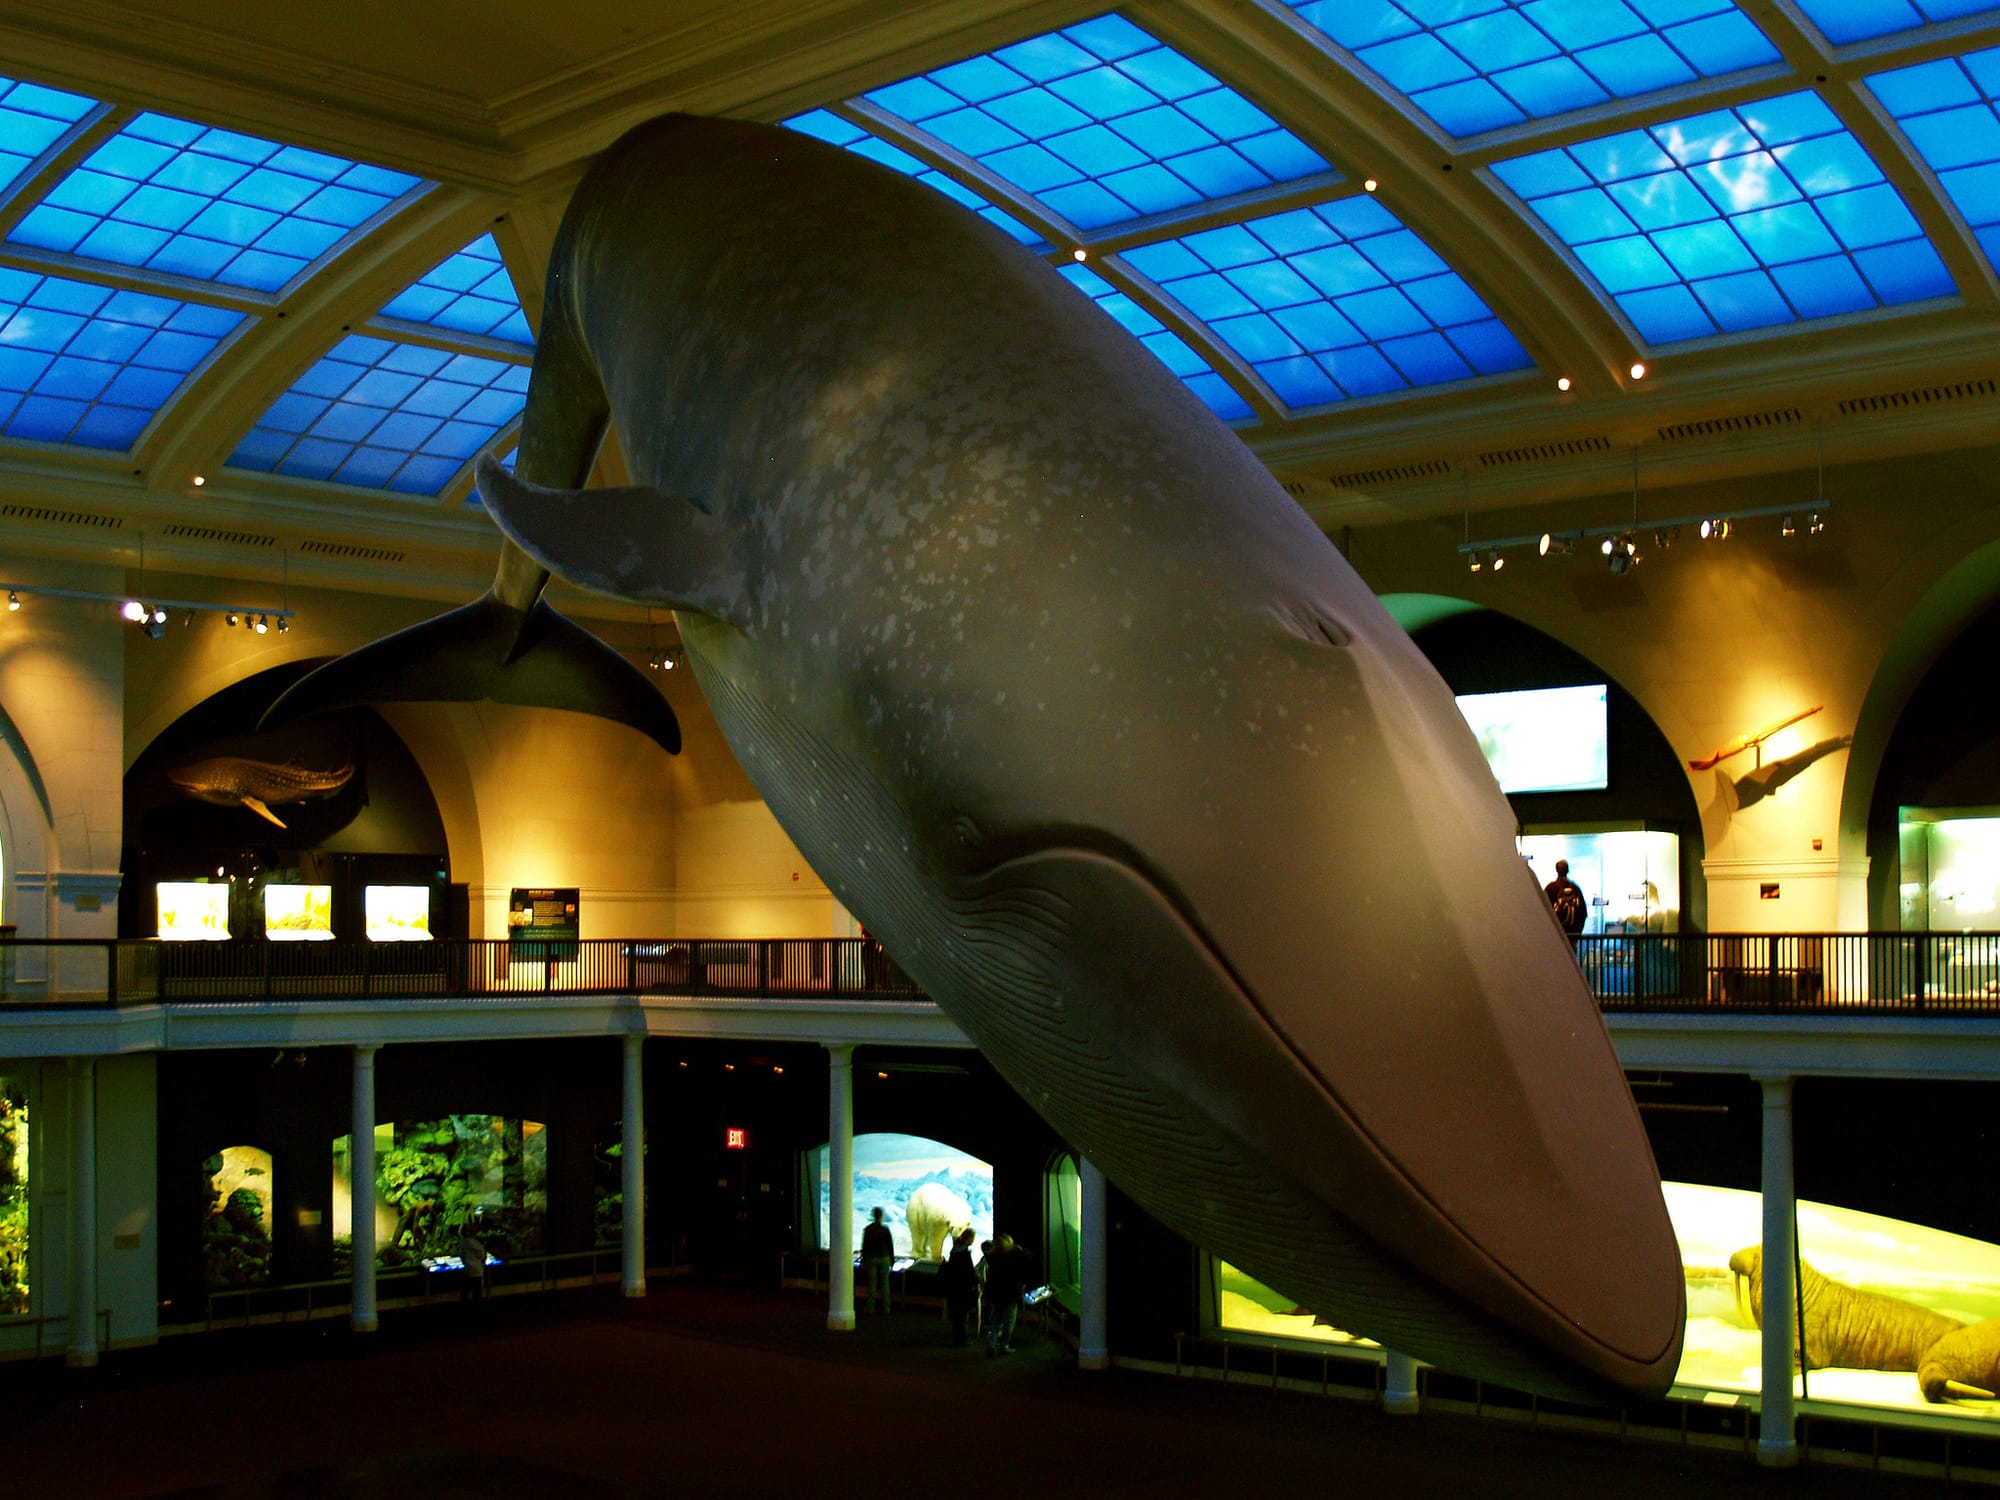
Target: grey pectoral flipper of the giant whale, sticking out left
635	543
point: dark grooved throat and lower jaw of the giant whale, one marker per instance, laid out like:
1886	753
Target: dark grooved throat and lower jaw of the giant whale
1099	1063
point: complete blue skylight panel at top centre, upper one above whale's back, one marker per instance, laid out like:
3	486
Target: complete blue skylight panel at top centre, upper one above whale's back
1103	125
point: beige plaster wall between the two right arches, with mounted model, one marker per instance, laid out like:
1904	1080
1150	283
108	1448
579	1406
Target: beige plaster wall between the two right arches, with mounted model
1723	639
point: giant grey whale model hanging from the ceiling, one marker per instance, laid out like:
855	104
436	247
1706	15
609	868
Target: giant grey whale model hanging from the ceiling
1083	717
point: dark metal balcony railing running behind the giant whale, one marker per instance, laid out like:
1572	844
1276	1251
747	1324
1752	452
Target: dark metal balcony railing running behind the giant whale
1795	973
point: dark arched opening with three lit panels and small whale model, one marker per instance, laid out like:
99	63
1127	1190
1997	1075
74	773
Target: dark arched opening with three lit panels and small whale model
323	829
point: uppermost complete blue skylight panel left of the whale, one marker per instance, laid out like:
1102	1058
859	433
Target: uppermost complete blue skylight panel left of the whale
211	205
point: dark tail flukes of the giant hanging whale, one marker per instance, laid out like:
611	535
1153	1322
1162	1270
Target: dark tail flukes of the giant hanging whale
489	651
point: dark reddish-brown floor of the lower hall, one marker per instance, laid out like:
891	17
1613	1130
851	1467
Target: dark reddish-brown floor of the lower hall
725	1391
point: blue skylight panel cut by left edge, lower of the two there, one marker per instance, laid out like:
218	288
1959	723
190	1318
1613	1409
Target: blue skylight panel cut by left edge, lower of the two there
91	367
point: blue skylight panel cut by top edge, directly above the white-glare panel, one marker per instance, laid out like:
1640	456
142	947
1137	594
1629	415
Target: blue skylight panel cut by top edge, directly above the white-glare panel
1483	65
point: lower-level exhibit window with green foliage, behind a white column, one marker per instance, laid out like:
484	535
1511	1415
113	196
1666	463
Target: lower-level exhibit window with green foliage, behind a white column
437	1177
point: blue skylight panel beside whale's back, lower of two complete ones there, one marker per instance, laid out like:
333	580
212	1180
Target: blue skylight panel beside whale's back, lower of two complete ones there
1333	301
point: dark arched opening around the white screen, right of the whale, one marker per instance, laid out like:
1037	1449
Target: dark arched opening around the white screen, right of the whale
1645	799
